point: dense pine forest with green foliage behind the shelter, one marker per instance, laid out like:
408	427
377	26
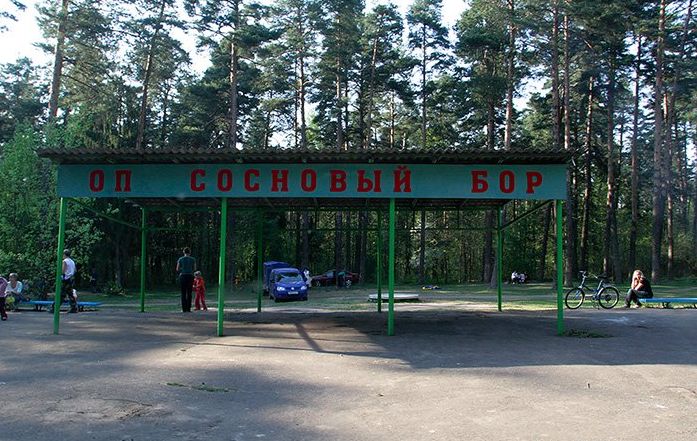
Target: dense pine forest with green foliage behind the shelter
612	82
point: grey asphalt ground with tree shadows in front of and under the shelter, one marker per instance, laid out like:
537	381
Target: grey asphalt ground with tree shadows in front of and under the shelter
452	372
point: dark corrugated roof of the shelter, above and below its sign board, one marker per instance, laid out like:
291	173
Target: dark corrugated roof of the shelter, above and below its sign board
67	156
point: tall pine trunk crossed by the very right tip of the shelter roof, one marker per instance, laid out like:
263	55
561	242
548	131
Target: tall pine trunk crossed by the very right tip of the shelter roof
570	266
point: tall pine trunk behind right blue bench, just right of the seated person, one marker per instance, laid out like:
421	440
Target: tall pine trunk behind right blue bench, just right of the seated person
658	200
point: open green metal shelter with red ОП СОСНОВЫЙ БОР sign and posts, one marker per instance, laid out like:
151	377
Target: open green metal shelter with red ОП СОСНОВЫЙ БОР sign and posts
372	180
